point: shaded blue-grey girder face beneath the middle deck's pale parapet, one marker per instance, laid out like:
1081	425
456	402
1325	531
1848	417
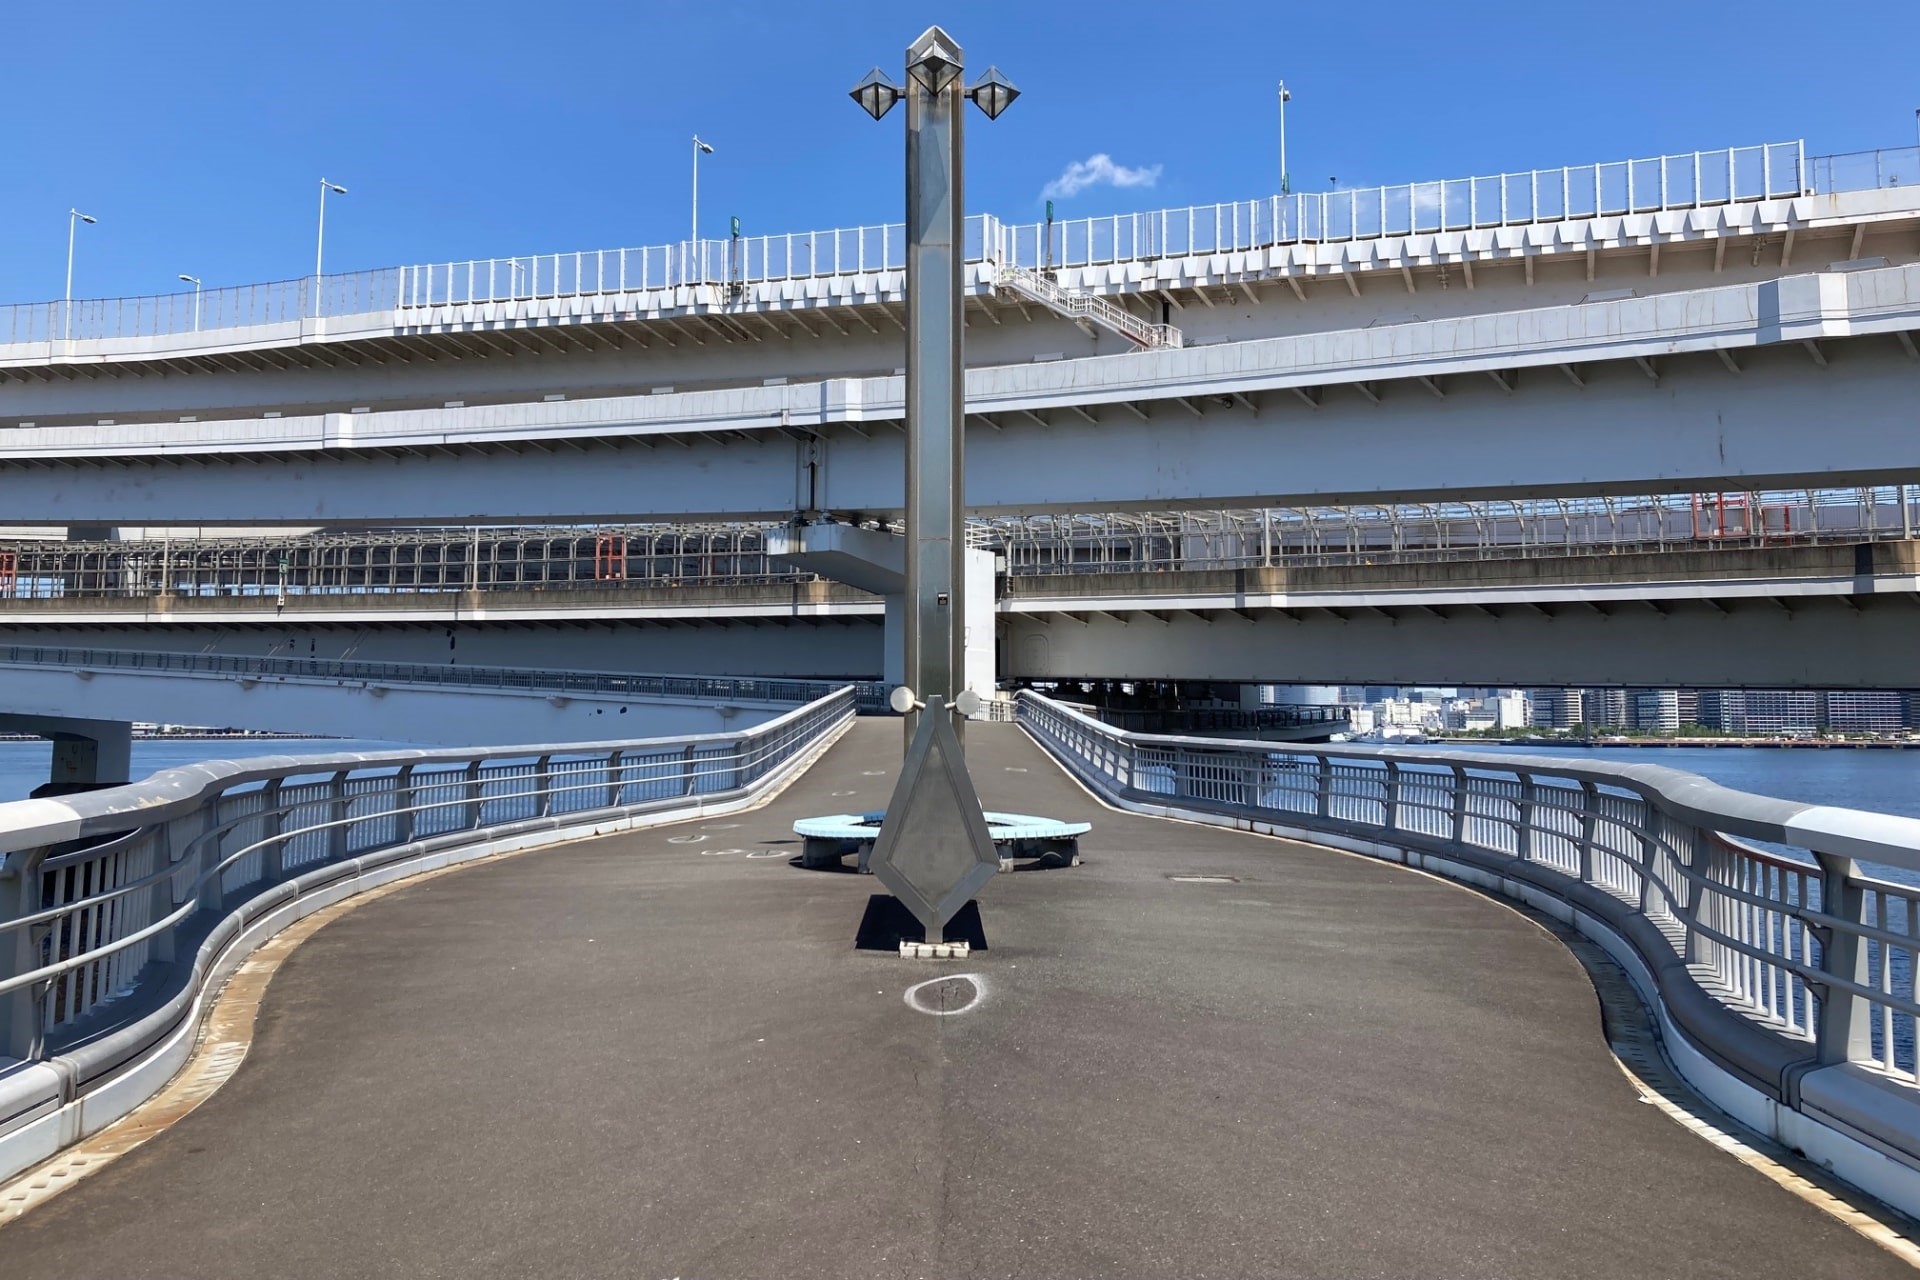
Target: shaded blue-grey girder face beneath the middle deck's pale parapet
1696	425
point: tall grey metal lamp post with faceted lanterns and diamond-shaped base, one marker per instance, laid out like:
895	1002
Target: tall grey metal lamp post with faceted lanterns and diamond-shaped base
934	849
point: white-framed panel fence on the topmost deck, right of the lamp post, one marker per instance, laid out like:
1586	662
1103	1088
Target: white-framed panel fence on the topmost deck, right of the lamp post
1654	185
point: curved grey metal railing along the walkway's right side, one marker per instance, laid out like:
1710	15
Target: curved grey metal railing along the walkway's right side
1806	959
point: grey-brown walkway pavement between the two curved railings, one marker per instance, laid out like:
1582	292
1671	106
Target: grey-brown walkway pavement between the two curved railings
660	1056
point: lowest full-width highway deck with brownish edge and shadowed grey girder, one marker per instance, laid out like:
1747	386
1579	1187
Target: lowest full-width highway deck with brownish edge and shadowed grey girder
1798	613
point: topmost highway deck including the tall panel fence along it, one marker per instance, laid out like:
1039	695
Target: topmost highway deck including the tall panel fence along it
815	306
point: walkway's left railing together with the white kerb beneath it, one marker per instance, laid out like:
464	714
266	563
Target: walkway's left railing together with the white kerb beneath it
122	911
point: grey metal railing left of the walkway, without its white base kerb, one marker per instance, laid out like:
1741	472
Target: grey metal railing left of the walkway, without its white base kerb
103	891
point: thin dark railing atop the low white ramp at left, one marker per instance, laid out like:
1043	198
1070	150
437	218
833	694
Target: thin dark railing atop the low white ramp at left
869	696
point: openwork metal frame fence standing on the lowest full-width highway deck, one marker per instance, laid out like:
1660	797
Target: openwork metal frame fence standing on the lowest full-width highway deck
679	557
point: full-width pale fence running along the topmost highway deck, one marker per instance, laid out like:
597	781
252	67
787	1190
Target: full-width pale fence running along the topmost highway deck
1660	183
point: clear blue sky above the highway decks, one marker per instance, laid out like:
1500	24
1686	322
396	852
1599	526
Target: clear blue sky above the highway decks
199	131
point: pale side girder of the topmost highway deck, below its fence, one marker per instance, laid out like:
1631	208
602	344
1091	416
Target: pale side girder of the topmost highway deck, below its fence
631	341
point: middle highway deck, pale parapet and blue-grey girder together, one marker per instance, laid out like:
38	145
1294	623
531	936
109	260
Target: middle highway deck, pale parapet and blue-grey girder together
1729	387
